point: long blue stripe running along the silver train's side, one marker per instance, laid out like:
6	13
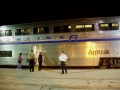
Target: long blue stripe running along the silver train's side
59	41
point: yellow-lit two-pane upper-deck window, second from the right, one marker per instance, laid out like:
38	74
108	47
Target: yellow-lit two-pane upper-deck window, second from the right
82	28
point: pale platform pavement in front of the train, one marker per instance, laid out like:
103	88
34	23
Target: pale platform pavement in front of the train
52	79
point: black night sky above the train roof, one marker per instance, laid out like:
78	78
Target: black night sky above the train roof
35	12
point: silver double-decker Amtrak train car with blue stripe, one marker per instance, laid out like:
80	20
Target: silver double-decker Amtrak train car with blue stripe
88	42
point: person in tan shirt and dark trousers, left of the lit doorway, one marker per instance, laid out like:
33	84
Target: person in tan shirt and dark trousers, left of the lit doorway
31	57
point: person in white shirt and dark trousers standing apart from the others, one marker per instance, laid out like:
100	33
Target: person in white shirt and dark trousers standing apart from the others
63	58
